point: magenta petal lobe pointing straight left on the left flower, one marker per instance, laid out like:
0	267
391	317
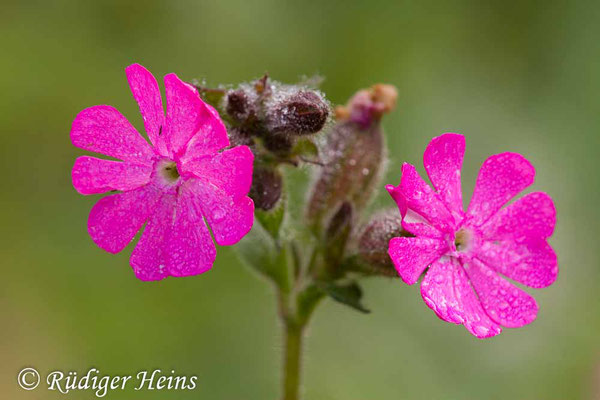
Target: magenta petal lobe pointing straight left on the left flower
93	175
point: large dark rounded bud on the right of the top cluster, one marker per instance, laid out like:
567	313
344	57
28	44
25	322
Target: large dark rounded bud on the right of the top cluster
297	112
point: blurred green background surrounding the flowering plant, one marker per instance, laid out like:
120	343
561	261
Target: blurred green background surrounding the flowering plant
521	76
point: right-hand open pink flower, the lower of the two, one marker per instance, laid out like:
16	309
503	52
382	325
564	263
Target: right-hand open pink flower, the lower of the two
467	252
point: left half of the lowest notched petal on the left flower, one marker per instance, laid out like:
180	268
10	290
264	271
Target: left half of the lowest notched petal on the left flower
149	259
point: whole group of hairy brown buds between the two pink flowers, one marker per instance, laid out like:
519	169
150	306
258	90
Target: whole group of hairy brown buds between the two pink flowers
279	122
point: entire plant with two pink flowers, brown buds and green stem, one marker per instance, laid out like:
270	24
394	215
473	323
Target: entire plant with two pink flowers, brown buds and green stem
199	170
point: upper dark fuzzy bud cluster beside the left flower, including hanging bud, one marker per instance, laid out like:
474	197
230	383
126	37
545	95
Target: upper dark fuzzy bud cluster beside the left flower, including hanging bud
271	118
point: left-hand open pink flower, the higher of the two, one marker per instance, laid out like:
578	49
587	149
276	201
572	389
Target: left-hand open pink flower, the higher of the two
176	184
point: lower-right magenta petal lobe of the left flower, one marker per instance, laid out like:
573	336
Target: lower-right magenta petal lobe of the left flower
229	219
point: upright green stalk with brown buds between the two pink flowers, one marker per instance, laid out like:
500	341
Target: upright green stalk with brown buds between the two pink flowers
282	124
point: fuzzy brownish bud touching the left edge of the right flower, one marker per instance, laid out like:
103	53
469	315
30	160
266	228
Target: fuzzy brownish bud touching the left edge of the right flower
375	236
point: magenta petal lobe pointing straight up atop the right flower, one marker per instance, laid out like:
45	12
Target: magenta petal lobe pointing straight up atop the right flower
443	161
